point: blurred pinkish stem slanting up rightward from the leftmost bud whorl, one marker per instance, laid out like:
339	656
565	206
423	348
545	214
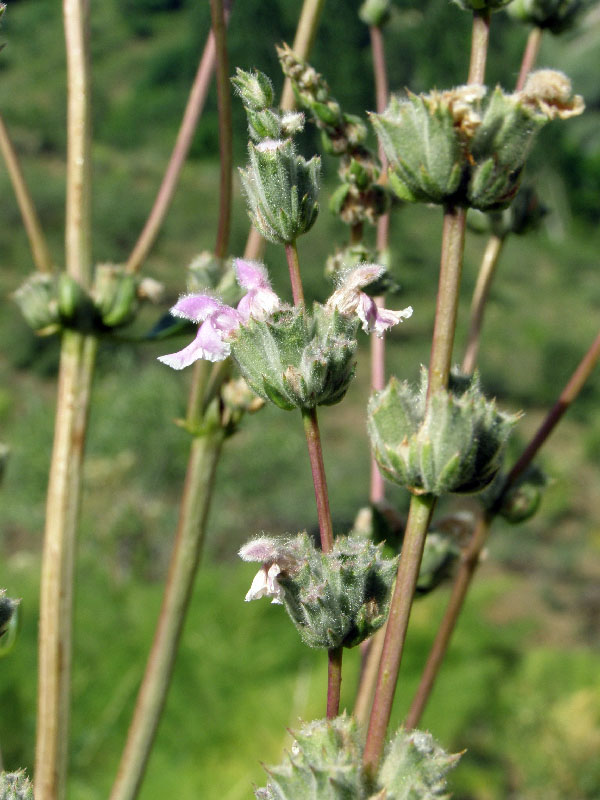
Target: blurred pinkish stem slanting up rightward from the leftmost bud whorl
193	110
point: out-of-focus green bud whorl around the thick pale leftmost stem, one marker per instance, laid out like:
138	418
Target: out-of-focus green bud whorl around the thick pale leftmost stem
52	302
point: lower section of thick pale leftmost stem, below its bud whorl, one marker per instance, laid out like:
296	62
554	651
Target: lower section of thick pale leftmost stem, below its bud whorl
56	589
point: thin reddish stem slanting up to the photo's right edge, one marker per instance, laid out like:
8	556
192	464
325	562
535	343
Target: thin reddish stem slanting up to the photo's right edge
470	558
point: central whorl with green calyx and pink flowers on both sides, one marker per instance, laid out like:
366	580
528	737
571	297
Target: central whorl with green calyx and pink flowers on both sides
293	357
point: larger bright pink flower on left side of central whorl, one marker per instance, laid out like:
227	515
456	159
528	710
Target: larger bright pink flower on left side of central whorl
218	320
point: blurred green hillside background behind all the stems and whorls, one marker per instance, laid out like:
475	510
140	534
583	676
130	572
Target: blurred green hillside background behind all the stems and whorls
520	689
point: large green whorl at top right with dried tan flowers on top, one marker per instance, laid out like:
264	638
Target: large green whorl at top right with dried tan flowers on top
468	146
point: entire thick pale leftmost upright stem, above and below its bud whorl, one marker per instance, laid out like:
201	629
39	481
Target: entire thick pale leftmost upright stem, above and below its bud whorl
74	384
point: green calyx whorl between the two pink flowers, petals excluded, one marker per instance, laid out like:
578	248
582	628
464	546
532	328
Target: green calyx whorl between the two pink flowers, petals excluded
298	358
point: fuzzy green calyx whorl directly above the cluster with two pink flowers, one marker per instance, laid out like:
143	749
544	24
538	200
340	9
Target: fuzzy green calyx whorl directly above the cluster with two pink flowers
281	190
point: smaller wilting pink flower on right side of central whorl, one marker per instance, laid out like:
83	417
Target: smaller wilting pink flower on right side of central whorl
349	299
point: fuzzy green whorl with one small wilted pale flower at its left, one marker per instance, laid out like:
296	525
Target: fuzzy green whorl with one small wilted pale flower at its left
334	599
